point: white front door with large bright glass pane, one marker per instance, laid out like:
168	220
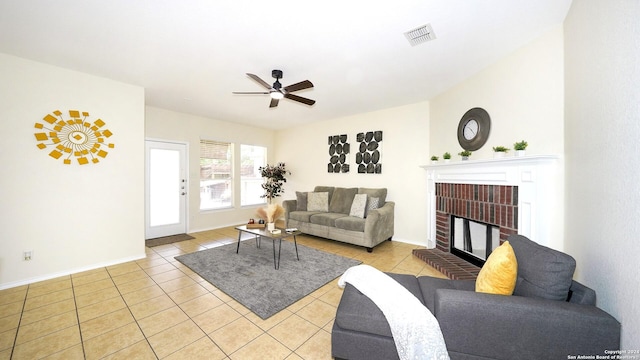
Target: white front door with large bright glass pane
165	188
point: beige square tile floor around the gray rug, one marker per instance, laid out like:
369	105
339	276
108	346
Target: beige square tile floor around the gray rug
156	308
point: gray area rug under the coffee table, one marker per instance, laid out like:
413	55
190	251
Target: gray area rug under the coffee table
250	278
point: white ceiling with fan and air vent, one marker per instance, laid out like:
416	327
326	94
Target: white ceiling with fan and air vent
189	55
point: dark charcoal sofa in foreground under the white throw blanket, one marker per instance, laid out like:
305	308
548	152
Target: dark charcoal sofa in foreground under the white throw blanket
549	316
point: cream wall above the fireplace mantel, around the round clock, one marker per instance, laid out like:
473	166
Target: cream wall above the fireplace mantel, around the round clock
523	94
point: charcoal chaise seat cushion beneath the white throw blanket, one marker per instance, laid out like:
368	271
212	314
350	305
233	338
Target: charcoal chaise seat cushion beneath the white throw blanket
358	313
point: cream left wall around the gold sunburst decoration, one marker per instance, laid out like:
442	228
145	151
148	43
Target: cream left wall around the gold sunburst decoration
72	217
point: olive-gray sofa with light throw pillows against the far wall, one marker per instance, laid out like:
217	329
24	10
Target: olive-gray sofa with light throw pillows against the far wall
330	212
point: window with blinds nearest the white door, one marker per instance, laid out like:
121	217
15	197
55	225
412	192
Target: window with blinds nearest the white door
216	174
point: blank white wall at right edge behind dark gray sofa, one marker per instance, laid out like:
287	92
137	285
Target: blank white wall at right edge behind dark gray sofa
602	167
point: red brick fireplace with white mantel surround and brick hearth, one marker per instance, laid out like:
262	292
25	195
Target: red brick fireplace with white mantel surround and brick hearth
519	195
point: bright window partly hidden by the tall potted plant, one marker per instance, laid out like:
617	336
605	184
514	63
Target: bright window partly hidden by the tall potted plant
252	158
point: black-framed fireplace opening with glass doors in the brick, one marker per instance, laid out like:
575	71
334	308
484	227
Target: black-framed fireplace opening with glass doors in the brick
473	241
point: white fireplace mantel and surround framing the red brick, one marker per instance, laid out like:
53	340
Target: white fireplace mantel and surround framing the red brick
537	177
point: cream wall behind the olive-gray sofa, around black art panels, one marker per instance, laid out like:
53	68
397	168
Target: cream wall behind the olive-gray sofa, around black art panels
405	147
